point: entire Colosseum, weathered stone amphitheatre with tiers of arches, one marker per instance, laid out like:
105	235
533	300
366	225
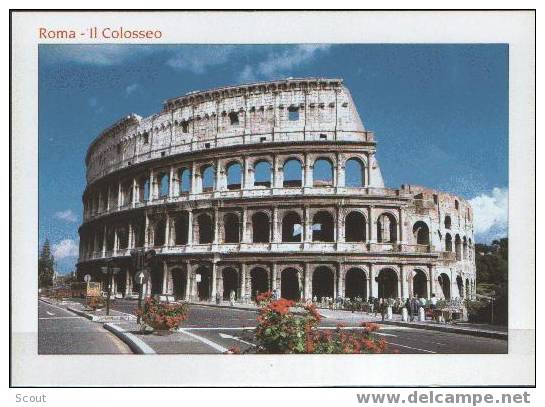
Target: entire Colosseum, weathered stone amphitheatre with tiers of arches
271	185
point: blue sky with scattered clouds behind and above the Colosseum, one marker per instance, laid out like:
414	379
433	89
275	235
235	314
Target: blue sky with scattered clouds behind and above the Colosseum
439	112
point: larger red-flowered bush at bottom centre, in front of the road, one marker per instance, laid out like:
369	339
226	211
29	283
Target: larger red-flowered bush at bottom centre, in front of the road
281	331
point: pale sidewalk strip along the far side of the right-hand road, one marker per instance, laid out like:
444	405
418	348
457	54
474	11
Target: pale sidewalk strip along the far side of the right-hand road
483	330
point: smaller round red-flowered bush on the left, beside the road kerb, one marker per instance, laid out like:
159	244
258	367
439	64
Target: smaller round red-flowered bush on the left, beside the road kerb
163	316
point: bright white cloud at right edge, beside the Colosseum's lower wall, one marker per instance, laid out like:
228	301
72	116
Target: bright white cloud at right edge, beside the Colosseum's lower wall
490	213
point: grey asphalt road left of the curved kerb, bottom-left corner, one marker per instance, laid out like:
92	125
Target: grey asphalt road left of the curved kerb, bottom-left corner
62	332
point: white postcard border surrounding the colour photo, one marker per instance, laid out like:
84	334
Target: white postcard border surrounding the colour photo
516	368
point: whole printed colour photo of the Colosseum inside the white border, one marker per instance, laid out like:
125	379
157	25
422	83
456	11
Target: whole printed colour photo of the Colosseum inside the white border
269	188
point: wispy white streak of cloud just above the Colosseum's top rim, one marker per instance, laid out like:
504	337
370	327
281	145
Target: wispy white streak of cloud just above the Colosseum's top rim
278	64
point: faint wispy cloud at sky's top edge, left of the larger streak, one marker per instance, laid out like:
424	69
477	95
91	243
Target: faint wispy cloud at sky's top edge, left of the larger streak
198	58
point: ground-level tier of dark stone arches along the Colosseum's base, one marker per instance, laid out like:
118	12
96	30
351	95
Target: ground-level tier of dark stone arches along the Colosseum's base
299	281
